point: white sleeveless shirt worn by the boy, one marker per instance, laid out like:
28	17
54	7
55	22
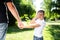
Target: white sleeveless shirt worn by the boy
38	30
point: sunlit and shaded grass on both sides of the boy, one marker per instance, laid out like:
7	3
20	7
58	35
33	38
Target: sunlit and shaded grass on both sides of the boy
49	33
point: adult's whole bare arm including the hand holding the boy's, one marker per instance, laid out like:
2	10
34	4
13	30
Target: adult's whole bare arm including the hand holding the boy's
14	12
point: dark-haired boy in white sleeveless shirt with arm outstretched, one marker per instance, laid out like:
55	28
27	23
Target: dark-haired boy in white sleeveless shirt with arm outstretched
38	24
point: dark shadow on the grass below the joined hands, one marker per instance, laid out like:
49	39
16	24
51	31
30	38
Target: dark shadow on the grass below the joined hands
15	29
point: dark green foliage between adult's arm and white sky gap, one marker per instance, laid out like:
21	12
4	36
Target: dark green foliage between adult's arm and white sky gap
24	7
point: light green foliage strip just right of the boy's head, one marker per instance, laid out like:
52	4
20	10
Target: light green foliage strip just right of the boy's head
47	8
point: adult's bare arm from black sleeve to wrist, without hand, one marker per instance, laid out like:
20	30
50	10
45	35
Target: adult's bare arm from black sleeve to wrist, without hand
13	10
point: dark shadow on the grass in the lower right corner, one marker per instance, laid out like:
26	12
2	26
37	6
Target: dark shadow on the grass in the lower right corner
55	31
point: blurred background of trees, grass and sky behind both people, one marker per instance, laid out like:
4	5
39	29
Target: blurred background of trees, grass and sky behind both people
27	10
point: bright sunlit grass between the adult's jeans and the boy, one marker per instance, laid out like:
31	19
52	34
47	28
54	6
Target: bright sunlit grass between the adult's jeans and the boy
26	35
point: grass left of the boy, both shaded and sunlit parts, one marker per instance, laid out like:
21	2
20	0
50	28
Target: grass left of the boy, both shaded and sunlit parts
15	33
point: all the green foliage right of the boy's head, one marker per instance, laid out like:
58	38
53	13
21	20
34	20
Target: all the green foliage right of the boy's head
52	9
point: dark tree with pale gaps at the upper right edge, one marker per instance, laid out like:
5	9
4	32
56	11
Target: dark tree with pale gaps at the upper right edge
56	8
